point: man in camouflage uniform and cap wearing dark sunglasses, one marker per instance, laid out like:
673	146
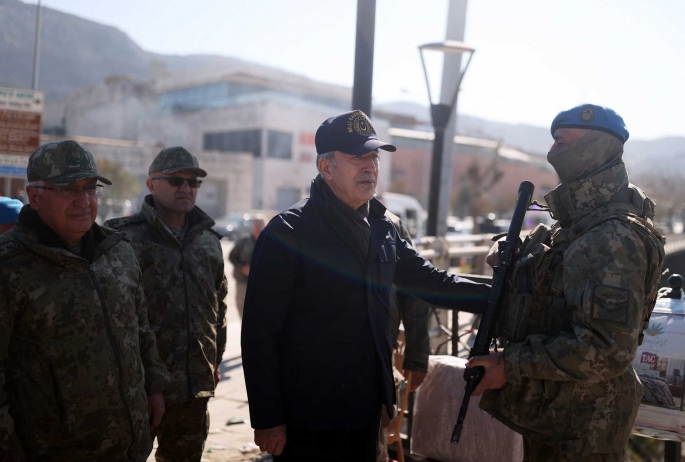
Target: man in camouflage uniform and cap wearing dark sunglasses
183	274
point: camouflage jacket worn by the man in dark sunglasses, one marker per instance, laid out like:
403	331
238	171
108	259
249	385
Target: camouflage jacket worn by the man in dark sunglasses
185	287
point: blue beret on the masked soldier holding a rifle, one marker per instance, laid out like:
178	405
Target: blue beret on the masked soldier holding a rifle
592	117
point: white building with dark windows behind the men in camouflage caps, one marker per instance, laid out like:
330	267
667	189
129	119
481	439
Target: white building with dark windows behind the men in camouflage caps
252	130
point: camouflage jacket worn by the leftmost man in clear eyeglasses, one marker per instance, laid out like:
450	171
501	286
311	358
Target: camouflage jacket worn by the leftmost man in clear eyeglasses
77	358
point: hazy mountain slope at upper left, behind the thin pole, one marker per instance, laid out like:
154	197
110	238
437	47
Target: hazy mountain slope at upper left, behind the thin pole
78	53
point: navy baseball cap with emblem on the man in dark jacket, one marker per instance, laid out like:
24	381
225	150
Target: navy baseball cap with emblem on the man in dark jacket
351	133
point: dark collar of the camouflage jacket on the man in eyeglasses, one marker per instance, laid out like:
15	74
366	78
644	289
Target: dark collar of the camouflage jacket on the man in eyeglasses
40	238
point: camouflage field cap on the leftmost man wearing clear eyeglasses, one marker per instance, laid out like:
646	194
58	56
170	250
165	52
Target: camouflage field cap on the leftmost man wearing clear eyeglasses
62	162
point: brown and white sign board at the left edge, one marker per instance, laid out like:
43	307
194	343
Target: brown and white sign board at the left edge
20	125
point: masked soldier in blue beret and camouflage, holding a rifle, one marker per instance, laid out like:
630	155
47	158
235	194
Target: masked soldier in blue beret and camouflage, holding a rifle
580	296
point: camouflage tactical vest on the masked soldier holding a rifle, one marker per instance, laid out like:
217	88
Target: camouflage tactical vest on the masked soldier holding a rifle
535	302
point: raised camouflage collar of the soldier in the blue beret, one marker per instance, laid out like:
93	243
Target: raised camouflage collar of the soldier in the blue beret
569	201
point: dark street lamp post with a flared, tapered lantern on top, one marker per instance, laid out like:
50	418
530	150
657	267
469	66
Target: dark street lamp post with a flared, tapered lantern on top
440	115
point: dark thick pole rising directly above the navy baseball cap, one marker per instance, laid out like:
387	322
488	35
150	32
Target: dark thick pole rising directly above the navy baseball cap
363	56
